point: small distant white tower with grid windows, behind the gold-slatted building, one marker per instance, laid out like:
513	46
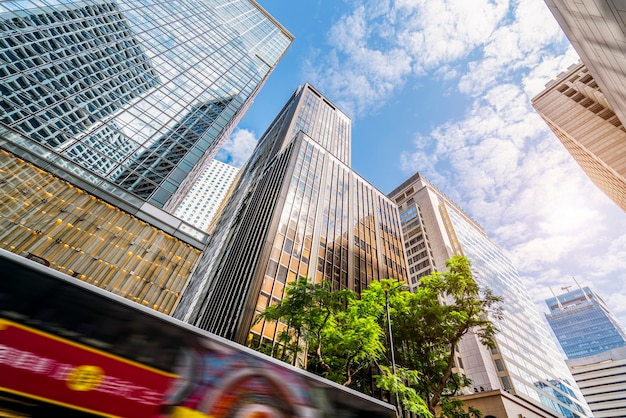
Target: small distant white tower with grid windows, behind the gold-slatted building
201	204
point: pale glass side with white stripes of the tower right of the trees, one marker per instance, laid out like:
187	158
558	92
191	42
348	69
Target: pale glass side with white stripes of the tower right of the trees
533	365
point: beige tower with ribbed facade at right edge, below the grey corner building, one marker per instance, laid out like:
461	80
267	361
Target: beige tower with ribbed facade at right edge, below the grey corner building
583	119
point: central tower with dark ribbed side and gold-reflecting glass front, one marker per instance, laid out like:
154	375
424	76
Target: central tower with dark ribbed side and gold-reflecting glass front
297	210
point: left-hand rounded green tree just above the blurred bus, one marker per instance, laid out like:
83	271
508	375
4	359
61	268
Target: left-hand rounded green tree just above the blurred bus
330	327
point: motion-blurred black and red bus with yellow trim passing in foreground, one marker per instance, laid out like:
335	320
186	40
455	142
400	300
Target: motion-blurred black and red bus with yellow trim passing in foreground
69	349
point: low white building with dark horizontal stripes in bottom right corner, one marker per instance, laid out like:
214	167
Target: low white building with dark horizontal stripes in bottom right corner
600	378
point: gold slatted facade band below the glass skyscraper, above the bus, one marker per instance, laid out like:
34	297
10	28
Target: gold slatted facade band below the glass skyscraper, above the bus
57	224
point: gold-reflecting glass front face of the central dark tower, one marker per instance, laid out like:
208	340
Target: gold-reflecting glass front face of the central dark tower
332	226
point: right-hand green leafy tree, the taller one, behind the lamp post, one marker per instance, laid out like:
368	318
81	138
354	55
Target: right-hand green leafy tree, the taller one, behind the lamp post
429	324
